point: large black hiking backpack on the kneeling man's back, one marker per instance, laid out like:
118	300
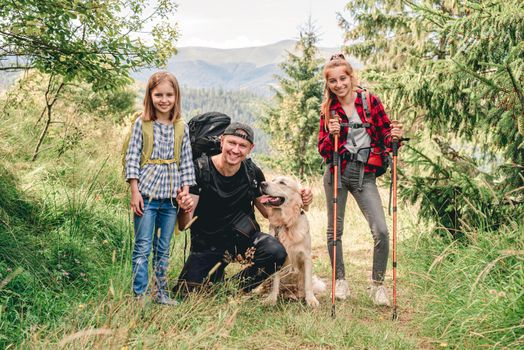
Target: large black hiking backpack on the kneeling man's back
204	132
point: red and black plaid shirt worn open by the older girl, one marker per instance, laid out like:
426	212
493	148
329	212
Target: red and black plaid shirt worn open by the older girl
380	132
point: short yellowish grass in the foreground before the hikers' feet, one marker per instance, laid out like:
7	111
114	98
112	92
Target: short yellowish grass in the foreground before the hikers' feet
223	319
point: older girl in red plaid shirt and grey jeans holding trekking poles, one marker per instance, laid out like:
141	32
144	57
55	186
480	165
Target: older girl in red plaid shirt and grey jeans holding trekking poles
361	141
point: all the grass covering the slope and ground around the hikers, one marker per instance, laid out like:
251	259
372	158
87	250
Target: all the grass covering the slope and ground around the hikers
65	279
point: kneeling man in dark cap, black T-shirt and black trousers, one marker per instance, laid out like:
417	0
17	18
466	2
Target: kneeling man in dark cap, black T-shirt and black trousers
227	190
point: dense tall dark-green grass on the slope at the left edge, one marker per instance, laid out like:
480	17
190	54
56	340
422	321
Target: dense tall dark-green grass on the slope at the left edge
62	249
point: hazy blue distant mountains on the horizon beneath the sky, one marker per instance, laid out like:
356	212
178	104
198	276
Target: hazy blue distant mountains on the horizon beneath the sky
250	68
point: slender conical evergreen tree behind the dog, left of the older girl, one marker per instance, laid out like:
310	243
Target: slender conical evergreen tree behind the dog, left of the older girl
293	122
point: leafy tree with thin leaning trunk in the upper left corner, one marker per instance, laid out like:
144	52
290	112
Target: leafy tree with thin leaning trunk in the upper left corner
93	41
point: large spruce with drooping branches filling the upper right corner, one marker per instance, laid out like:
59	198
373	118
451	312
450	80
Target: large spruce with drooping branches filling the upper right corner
453	72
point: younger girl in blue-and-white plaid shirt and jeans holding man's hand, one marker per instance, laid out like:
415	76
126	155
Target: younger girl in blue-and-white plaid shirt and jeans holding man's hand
155	184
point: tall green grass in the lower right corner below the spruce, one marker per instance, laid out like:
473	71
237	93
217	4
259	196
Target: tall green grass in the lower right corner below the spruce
471	296
